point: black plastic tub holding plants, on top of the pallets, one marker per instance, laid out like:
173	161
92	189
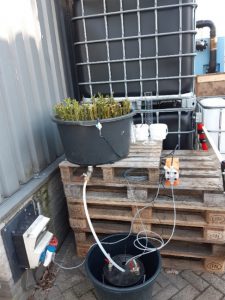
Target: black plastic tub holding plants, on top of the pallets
84	144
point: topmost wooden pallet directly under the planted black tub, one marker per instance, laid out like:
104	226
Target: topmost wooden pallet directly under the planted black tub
142	157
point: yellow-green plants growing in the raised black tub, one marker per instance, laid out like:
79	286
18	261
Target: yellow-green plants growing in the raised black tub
100	108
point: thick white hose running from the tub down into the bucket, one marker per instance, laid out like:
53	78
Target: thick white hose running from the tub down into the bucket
93	231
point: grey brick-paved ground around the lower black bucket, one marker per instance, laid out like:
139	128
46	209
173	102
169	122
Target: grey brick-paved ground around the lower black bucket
182	285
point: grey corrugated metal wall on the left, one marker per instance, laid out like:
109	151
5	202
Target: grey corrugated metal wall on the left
34	74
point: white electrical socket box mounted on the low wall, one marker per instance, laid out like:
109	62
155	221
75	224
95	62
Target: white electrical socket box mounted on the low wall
30	241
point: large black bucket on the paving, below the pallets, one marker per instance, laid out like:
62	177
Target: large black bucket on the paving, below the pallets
95	264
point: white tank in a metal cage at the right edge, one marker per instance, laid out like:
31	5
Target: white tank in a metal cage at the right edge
214	120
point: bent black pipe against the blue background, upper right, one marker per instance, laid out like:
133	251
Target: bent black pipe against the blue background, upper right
213	43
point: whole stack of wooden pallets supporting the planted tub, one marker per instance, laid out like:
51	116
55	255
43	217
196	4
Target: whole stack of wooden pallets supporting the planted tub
113	200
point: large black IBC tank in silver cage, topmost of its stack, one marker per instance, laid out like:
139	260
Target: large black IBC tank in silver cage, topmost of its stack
132	47
